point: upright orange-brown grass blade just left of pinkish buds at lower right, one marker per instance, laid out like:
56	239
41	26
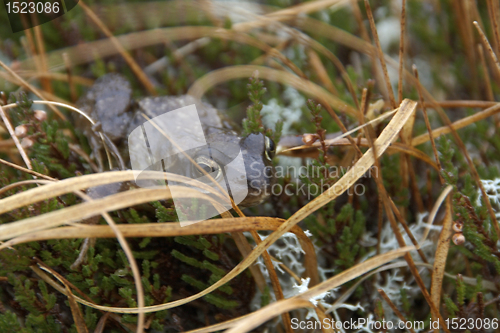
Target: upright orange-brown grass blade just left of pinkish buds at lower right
441	255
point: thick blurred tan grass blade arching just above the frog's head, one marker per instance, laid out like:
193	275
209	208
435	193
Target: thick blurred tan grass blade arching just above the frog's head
208	81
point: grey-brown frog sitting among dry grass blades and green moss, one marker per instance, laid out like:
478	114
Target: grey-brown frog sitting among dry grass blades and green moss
117	114
